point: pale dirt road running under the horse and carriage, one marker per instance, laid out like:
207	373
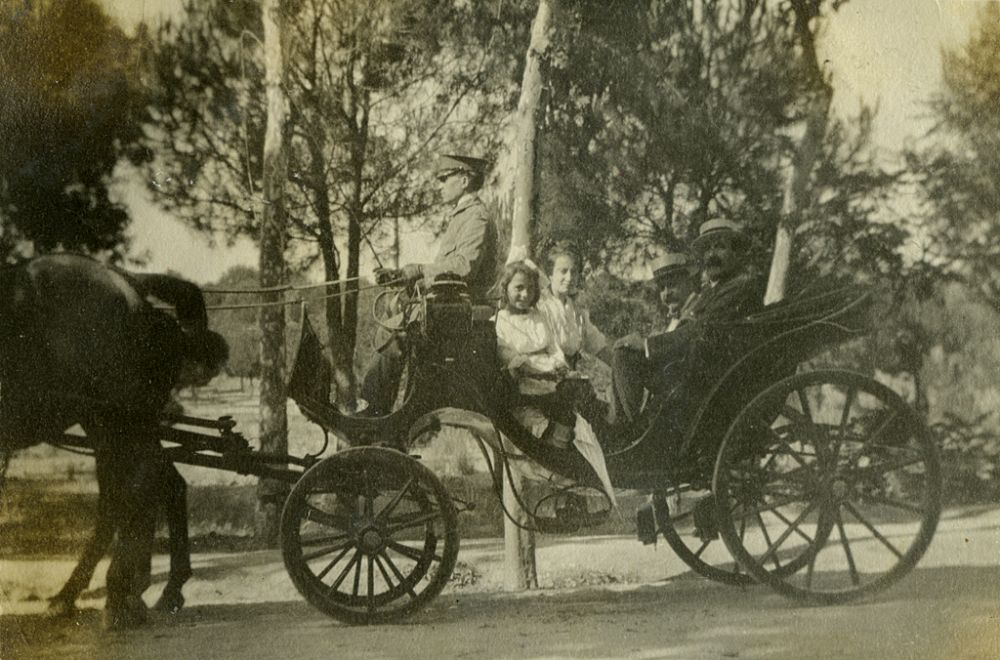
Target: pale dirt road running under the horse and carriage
241	606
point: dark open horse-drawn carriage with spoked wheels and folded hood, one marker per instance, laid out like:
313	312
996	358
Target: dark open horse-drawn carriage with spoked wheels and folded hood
824	484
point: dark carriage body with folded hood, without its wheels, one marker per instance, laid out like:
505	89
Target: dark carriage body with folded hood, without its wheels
453	363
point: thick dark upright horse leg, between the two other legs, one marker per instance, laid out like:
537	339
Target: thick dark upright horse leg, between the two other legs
128	574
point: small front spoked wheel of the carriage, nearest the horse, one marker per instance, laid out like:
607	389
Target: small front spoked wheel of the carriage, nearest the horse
369	535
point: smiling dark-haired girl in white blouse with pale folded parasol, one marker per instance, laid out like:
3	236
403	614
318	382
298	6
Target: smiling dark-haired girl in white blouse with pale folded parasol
530	353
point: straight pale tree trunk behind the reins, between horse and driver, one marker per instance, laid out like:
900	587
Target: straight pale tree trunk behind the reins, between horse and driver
273	419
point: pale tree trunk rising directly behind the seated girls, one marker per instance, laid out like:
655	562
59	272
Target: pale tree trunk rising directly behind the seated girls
516	189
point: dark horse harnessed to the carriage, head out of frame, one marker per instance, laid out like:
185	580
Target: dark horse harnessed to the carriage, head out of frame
79	343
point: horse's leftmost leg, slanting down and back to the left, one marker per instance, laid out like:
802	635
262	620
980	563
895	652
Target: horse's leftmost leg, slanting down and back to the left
63	603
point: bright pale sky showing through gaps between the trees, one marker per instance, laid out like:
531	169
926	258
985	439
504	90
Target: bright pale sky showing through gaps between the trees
884	52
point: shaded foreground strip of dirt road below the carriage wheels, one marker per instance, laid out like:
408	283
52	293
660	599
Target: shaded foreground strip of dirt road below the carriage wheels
681	618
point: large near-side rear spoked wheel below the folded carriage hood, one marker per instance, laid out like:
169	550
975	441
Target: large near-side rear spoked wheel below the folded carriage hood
828	486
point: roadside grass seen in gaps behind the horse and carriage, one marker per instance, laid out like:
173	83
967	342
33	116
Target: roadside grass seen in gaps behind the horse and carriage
50	503
